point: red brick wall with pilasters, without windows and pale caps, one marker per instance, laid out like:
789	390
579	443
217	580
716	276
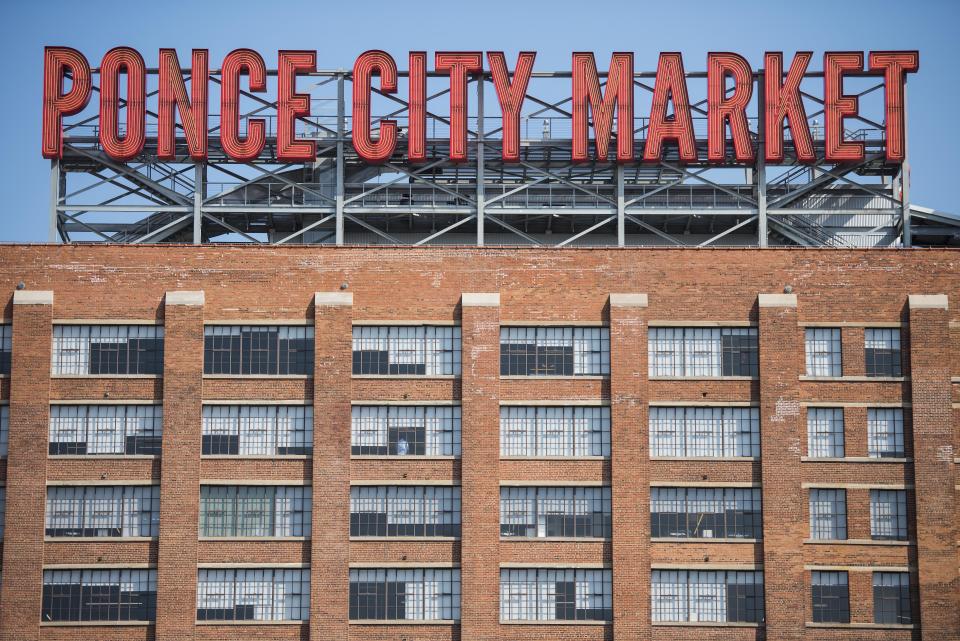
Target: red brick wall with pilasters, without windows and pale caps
252	284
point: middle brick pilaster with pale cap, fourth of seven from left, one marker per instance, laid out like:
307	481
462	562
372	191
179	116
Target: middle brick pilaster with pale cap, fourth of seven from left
479	560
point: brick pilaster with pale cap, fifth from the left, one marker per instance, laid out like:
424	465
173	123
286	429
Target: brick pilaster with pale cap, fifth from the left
630	466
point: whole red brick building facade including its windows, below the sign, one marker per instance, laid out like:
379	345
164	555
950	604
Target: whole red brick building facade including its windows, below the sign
465	443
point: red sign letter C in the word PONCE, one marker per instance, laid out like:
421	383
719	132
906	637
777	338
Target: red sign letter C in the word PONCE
237	62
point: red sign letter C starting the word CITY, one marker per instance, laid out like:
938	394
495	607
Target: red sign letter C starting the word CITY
367	64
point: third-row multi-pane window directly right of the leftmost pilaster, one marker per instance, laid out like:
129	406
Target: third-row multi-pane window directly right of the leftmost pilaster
103	511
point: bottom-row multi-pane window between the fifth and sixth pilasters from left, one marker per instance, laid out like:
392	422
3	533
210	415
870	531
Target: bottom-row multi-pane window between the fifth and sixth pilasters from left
711	596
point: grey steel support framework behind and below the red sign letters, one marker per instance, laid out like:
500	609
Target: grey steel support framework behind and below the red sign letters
545	199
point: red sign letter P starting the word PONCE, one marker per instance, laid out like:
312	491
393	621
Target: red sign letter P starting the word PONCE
58	63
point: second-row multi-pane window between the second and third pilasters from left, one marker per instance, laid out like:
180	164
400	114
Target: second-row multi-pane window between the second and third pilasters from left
257	430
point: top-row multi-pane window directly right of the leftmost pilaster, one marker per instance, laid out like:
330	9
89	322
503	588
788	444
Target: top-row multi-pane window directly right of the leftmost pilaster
97	350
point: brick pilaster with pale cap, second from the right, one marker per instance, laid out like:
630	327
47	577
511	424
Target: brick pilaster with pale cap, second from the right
781	432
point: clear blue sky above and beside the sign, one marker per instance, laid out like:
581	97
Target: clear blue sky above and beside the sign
341	30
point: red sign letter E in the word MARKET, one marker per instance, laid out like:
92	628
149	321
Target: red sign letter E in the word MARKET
838	106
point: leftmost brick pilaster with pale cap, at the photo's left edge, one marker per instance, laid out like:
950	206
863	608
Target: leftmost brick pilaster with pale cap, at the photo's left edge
20	594
